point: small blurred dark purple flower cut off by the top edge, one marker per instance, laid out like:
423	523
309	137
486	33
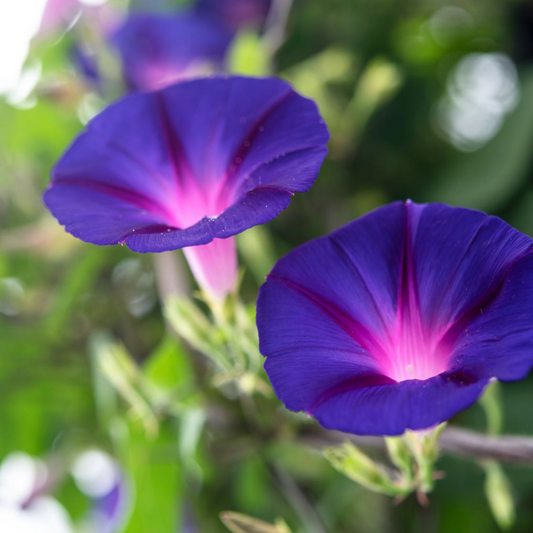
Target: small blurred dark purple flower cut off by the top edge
236	13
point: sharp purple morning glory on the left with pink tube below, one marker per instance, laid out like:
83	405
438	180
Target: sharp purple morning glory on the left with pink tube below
192	164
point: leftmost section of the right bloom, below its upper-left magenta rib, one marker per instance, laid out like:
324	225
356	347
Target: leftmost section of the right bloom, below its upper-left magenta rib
306	362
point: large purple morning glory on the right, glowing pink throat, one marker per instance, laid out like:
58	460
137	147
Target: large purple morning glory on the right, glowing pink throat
400	319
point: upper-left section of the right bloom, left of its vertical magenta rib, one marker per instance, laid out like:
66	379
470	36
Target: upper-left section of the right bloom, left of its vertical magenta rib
356	270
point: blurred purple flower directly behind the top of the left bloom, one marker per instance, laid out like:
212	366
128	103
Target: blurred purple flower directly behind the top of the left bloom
159	49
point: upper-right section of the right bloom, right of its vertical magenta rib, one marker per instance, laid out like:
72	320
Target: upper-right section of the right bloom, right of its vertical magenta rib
460	257
